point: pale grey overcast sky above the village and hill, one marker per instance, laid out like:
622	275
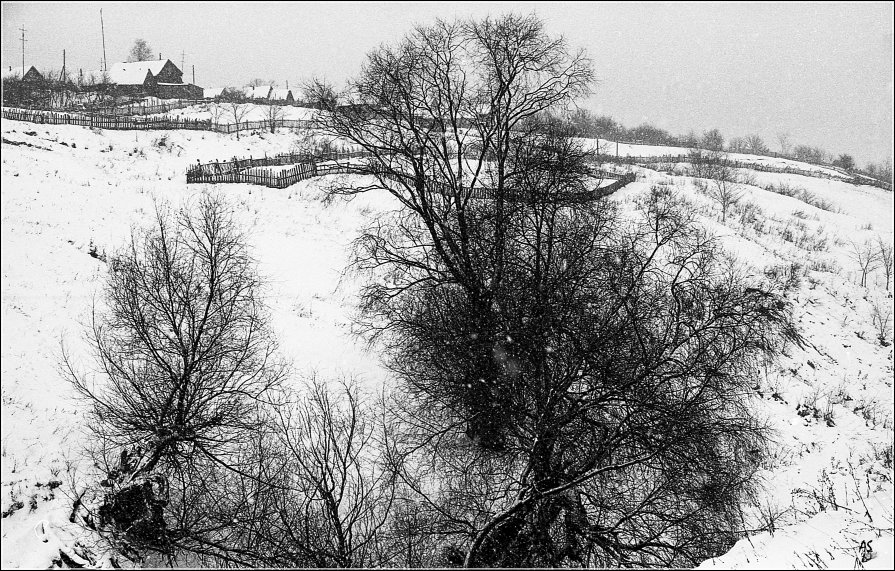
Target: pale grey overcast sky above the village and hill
822	72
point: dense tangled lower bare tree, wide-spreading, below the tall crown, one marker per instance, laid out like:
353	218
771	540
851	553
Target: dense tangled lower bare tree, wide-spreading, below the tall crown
567	465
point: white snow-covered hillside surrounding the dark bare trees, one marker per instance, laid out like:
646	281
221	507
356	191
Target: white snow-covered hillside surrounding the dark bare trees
67	190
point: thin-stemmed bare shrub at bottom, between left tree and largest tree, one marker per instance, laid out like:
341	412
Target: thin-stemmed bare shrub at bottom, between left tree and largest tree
326	494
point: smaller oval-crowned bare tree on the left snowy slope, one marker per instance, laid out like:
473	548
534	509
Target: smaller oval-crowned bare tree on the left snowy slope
185	361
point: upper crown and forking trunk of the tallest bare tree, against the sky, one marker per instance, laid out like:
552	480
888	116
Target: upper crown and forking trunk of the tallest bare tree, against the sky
439	112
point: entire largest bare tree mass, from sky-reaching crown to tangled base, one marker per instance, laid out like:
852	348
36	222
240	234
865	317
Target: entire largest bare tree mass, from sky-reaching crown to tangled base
573	392
